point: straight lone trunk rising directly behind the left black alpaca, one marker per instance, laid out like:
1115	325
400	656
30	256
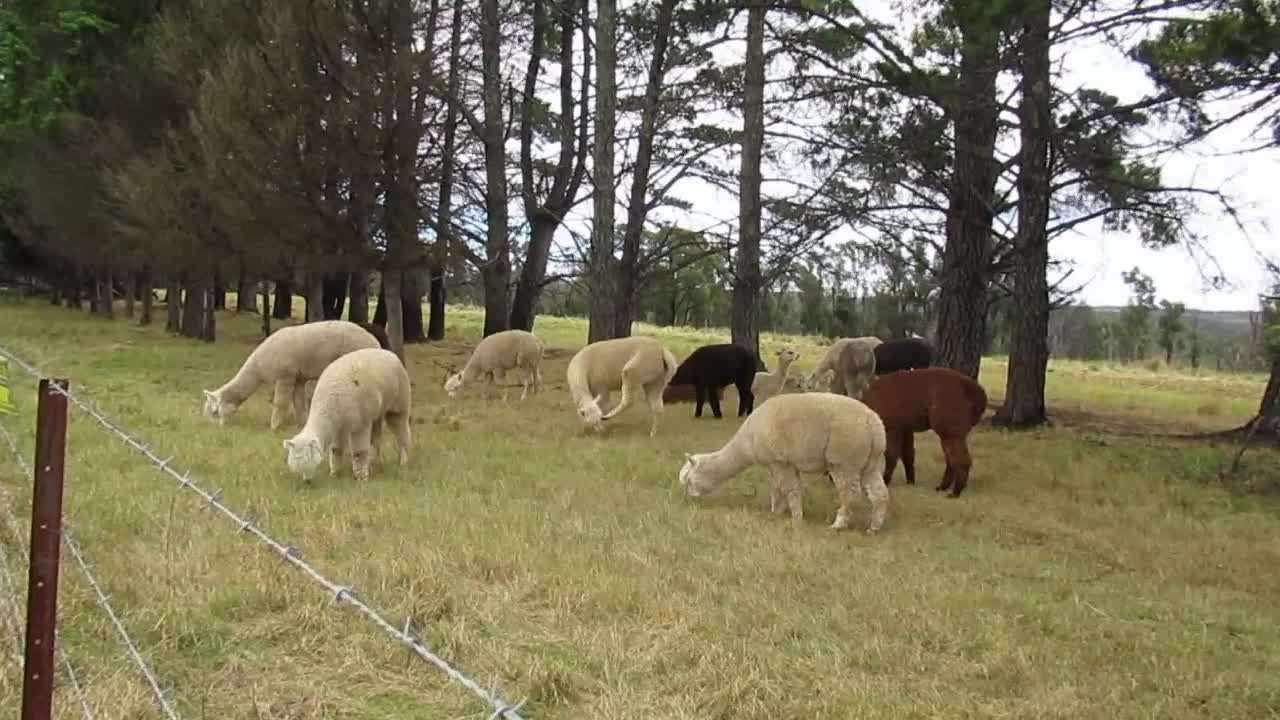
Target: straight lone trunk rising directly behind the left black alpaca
748	282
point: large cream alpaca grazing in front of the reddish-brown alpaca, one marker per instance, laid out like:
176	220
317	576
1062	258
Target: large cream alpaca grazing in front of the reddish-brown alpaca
803	434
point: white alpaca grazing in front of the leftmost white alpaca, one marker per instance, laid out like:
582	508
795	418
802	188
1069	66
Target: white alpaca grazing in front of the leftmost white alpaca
355	395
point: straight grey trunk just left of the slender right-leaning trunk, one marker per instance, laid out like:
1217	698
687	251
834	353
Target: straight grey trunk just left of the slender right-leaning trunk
602	320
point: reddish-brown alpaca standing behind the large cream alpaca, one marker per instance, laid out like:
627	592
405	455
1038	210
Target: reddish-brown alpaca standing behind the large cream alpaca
929	399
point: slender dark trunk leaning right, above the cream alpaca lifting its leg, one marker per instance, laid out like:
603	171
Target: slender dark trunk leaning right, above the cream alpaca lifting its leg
638	209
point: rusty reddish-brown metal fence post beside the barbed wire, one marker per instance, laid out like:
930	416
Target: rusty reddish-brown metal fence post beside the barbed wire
47	525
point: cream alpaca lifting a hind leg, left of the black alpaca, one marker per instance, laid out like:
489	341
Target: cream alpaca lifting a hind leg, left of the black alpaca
639	366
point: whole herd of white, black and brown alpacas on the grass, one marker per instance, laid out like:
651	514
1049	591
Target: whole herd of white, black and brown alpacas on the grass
852	420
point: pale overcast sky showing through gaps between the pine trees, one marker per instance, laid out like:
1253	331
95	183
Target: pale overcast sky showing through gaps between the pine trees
1101	257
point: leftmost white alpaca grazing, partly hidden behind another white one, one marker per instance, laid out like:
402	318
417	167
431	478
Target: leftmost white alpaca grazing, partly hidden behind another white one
290	358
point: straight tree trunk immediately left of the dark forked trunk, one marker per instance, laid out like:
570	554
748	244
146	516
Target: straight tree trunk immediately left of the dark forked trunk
496	271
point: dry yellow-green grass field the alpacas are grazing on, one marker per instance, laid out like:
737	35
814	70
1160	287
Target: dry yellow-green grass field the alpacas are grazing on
1085	573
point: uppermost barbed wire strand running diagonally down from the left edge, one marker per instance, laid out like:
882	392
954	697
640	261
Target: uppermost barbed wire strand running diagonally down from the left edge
502	710
